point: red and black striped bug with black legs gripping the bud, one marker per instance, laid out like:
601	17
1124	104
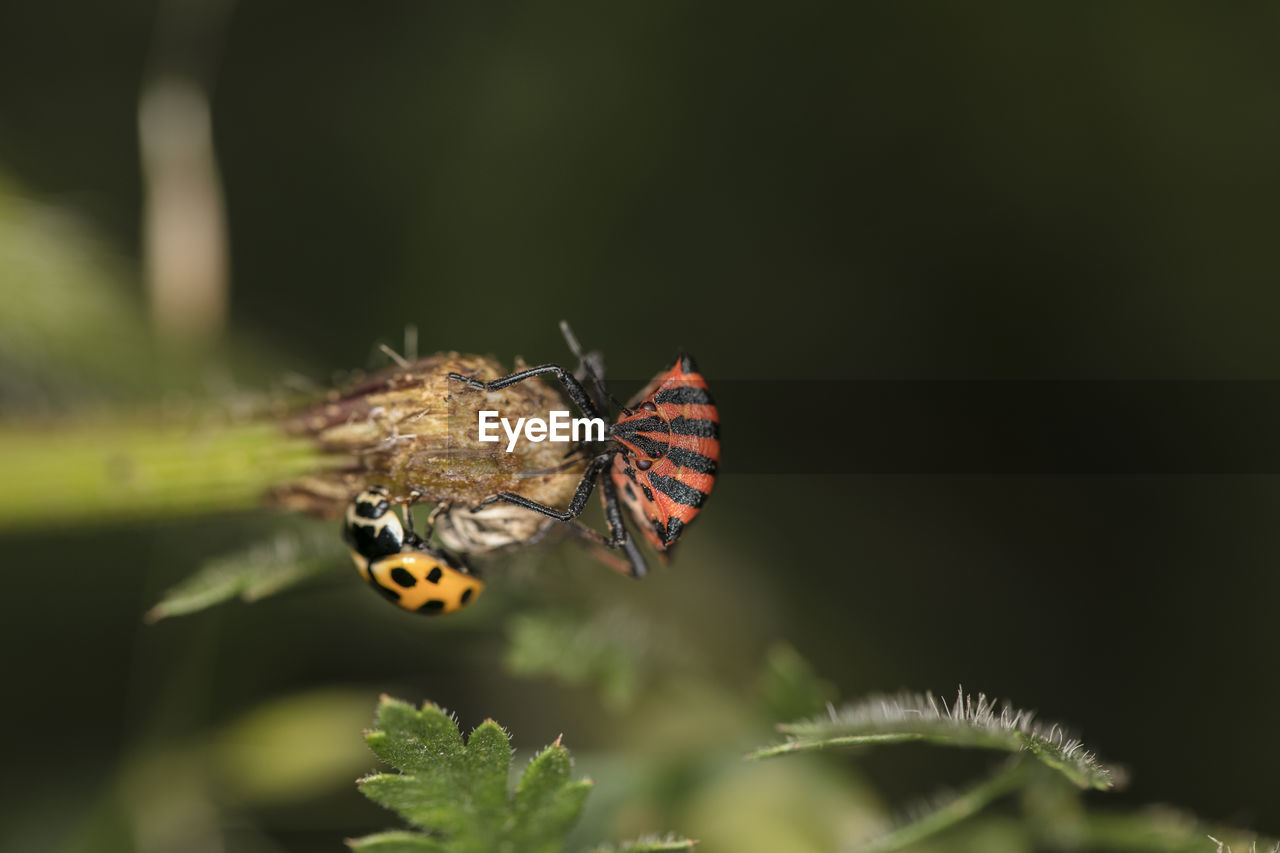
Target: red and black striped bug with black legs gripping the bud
662	453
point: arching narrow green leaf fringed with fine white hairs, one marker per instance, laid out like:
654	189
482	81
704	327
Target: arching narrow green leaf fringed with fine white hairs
967	723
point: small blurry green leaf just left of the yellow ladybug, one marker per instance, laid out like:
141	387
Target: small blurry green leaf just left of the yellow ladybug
258	572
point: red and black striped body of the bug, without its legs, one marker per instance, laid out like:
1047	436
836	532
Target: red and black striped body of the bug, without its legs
671	453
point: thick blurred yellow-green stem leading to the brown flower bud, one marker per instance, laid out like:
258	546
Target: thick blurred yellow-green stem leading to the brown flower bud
121	471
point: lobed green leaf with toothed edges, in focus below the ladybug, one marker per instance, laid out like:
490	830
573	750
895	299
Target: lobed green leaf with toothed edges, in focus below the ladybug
458	792
